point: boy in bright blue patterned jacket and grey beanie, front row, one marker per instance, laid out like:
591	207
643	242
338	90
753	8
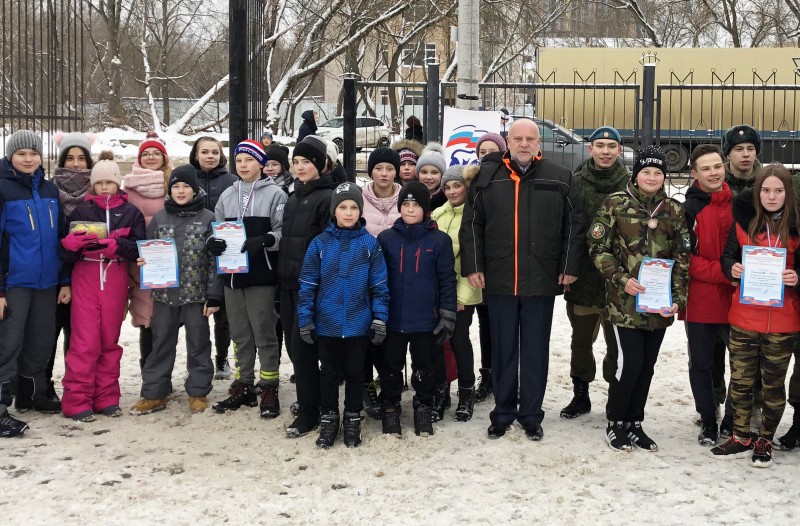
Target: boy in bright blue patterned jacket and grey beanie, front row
343	297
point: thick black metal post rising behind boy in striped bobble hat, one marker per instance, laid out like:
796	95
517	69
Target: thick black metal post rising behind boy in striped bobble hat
237	89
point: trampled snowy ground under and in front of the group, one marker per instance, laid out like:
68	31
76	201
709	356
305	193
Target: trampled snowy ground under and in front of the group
173	467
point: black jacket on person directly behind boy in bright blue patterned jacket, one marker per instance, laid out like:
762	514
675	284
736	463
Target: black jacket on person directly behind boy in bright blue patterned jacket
306	215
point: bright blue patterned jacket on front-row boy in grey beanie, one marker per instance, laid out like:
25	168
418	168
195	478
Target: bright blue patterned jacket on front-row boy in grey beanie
343	283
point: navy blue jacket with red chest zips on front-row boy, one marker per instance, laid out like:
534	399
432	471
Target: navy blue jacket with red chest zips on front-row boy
422	277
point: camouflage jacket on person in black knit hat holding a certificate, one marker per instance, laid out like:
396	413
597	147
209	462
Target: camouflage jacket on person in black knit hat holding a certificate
620	239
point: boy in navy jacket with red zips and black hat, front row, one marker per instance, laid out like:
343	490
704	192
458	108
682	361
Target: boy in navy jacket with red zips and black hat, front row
422	306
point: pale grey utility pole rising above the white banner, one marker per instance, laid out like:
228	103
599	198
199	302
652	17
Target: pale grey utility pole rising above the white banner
468	54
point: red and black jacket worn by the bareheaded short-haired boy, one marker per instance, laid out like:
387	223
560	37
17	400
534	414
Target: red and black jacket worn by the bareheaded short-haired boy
709	217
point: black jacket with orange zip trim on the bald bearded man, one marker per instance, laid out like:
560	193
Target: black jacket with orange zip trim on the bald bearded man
522	239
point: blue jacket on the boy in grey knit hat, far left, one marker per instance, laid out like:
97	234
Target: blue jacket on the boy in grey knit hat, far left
31	224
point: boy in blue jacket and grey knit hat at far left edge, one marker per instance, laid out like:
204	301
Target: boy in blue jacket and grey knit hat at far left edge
31	224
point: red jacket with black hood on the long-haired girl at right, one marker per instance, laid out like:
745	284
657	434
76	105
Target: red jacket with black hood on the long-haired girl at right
755	317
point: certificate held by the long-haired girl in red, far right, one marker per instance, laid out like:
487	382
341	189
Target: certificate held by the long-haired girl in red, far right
762	279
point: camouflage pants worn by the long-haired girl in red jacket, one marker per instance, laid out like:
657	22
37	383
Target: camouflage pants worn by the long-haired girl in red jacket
750	353
